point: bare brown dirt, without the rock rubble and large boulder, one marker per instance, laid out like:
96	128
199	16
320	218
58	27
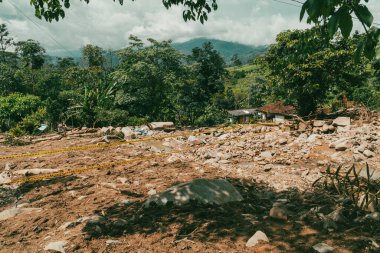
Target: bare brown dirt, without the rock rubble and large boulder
110	201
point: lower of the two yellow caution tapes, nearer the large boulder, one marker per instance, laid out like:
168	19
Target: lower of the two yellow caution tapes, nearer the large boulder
138	159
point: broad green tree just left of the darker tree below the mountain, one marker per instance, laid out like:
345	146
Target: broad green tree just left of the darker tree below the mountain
147	77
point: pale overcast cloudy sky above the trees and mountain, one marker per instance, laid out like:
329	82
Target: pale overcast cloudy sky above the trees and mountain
107	24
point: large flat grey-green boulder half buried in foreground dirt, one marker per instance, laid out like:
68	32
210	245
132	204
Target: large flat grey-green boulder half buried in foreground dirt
204	191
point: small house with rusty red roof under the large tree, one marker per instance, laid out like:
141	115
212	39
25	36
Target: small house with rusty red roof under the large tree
277	111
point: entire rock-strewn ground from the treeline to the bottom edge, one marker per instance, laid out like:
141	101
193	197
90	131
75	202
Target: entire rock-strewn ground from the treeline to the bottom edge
270	168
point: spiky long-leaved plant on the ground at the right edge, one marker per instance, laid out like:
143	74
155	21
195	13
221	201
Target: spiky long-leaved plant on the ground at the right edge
363	191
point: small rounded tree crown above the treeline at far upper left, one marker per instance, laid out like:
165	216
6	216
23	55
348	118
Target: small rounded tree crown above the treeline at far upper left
32	54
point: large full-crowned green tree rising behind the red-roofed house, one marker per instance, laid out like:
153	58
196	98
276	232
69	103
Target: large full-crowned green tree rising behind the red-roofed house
303	67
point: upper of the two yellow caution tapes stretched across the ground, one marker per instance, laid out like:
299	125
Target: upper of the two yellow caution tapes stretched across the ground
64	150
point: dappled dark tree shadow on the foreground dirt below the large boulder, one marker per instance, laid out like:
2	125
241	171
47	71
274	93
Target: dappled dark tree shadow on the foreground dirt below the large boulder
206	223
